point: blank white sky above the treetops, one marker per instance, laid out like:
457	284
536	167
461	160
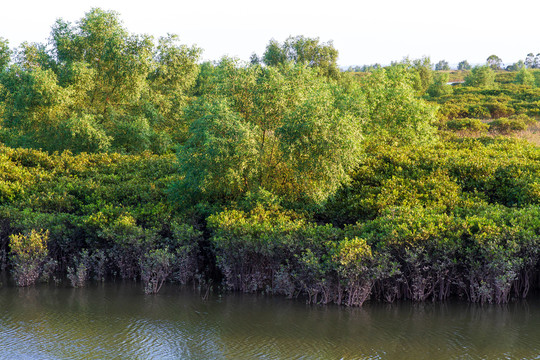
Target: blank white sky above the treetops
364	32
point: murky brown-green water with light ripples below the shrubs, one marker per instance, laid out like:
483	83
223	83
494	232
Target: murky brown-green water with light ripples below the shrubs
116	320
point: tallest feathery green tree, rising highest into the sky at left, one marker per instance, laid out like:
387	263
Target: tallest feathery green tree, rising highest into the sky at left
119	62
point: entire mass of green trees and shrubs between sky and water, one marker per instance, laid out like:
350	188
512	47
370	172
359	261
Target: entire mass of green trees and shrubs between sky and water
123	156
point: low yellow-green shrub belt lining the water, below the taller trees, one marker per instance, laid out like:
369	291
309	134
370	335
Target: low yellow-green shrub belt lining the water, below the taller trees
425	222
